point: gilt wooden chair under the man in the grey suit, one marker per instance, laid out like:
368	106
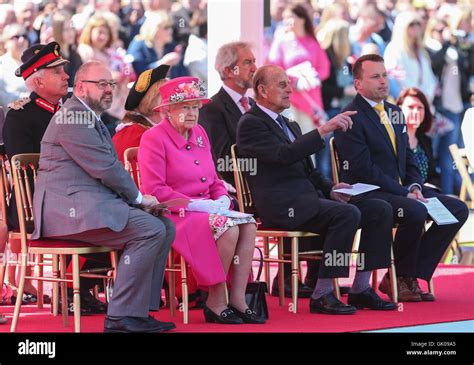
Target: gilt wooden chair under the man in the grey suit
24	171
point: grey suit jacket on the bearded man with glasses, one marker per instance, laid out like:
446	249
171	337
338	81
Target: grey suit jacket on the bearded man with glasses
81	185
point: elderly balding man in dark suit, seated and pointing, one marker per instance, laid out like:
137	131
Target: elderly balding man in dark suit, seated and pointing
290	194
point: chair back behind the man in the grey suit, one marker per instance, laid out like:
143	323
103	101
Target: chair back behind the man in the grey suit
24	168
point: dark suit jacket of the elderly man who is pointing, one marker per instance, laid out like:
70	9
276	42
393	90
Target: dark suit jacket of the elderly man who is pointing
286	188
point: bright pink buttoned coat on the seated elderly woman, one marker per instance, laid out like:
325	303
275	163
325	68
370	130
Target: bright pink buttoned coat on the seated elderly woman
172	168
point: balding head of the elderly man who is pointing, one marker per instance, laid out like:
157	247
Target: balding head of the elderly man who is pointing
272	88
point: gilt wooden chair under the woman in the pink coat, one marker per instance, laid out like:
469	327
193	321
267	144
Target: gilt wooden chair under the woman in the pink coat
131	165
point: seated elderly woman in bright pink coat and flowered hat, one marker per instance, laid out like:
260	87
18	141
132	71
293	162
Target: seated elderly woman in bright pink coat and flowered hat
175	161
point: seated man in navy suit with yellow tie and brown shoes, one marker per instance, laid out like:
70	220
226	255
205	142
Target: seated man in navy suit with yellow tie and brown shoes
376	151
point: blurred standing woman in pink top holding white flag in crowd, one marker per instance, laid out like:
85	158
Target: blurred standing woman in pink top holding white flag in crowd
298	52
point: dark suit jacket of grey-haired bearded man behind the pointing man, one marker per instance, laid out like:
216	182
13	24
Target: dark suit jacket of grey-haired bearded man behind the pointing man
220	118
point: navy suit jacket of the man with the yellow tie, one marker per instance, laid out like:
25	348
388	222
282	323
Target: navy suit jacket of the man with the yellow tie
366	150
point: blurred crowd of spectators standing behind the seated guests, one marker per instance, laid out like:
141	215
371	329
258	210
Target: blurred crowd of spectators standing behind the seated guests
427	44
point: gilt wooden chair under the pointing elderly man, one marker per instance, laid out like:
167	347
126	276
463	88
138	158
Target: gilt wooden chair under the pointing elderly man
246	205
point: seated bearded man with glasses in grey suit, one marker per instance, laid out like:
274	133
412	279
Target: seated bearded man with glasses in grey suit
83	193
